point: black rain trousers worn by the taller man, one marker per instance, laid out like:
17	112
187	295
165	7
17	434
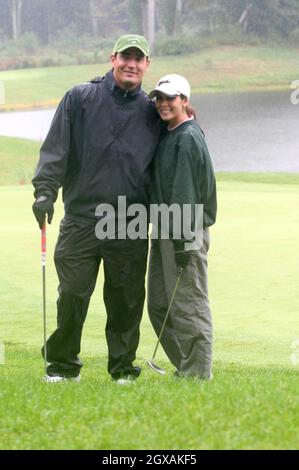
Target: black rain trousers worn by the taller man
78	255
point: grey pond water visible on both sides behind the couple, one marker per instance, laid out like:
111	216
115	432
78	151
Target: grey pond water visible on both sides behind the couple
255	131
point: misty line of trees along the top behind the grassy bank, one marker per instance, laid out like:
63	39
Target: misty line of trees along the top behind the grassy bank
108	18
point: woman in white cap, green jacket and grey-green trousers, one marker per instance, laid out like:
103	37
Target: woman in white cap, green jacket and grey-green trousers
182	175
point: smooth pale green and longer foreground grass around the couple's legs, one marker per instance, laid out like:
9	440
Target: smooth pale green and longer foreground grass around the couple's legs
252	401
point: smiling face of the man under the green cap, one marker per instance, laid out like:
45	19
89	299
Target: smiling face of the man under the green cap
129	67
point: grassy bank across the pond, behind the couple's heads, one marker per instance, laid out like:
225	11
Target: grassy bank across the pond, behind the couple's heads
212	70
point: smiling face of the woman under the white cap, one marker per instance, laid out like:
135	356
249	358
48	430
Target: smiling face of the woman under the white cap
171	109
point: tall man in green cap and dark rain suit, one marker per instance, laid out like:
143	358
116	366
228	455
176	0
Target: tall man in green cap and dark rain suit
99	147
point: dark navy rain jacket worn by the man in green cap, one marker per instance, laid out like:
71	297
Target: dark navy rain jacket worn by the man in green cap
100	146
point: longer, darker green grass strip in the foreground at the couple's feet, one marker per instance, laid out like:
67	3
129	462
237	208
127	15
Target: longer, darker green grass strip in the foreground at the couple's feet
243	408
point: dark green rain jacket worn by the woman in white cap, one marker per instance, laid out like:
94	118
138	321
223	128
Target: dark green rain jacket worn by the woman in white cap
183	173
